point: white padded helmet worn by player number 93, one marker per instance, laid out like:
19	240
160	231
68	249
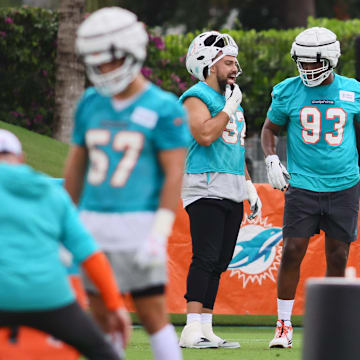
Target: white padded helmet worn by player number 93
316	44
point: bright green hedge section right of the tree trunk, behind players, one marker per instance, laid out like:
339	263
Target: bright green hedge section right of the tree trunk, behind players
264	57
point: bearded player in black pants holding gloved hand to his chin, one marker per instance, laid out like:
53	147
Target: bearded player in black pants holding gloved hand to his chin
216	181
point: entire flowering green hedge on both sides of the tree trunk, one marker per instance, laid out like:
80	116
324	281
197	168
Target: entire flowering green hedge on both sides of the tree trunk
28	50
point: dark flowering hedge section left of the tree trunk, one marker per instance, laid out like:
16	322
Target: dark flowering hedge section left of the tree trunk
27	67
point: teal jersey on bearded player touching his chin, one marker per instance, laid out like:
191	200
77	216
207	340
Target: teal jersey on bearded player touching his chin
227	153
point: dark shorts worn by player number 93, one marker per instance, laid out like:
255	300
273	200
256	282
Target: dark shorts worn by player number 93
307	212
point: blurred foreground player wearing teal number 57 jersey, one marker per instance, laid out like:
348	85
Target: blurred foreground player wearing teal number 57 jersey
125	167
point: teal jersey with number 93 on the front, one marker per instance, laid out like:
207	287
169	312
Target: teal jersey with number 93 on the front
321	144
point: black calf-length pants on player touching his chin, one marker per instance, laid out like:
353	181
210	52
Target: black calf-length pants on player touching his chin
214	227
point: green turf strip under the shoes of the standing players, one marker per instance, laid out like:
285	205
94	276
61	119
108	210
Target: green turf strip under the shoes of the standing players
254	345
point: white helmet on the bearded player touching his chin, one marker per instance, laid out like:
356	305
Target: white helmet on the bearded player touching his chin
203	50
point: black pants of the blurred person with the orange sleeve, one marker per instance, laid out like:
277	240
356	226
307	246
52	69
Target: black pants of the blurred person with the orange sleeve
69	324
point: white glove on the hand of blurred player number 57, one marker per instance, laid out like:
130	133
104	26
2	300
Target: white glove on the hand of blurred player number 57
153	252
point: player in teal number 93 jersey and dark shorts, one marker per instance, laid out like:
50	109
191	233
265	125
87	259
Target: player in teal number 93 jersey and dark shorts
318	108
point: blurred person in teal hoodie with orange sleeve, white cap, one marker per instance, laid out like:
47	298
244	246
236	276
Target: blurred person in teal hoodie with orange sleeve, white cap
37	218
